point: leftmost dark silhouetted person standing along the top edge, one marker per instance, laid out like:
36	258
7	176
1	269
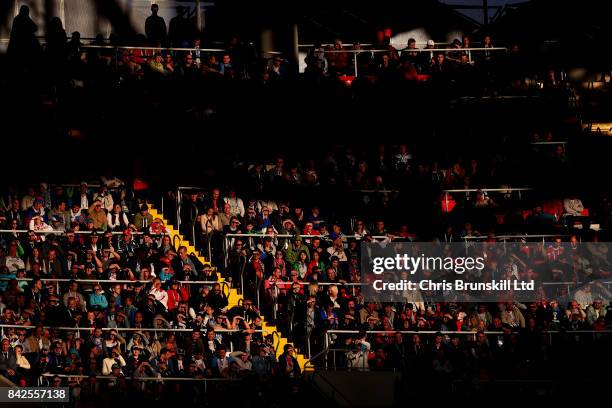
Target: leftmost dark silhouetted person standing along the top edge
23	47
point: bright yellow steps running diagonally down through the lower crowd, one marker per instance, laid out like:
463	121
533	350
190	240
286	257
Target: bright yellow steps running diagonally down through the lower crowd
234	298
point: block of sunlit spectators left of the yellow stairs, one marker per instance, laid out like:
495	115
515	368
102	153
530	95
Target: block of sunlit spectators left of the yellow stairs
134	279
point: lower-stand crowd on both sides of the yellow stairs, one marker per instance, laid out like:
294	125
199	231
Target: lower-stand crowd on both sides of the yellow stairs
298	266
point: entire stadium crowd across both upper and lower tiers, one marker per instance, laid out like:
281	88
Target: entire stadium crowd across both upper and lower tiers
299	263
